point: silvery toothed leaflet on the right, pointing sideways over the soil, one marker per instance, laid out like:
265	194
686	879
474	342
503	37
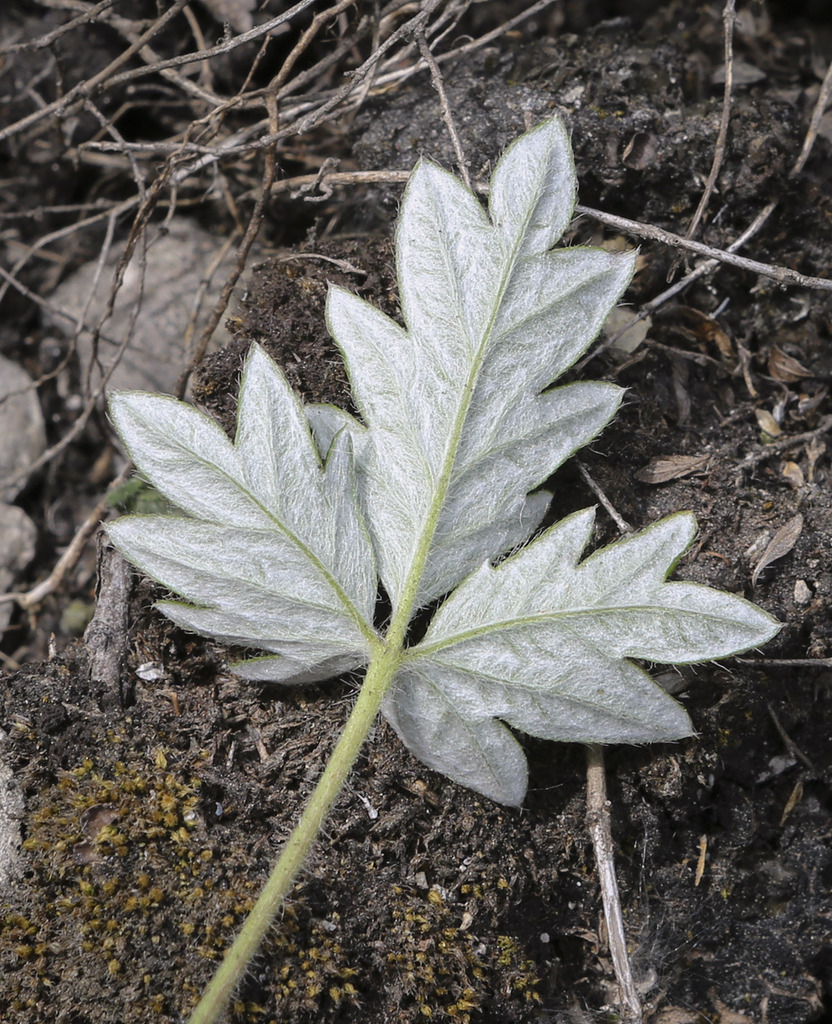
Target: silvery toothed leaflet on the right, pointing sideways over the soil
543	643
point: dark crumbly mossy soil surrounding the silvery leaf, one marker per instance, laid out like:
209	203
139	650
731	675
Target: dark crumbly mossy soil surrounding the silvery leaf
156	802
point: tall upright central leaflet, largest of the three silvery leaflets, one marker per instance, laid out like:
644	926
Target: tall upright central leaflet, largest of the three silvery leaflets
460	428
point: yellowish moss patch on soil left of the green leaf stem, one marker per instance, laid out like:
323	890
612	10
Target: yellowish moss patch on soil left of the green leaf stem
113	845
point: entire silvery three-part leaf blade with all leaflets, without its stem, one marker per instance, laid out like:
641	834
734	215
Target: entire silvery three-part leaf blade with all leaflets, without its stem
459	424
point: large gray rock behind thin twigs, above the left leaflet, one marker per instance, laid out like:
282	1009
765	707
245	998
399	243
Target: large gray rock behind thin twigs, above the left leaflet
177	264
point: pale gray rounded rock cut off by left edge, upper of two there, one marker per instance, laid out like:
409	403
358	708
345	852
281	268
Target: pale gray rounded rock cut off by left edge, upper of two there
23	437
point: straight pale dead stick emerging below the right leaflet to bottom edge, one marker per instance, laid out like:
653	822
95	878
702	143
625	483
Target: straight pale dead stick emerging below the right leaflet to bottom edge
598	822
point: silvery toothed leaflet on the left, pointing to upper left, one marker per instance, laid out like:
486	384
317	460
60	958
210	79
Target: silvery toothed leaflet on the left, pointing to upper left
274	553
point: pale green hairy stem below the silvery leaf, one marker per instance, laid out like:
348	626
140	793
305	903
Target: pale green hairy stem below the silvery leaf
380	676
